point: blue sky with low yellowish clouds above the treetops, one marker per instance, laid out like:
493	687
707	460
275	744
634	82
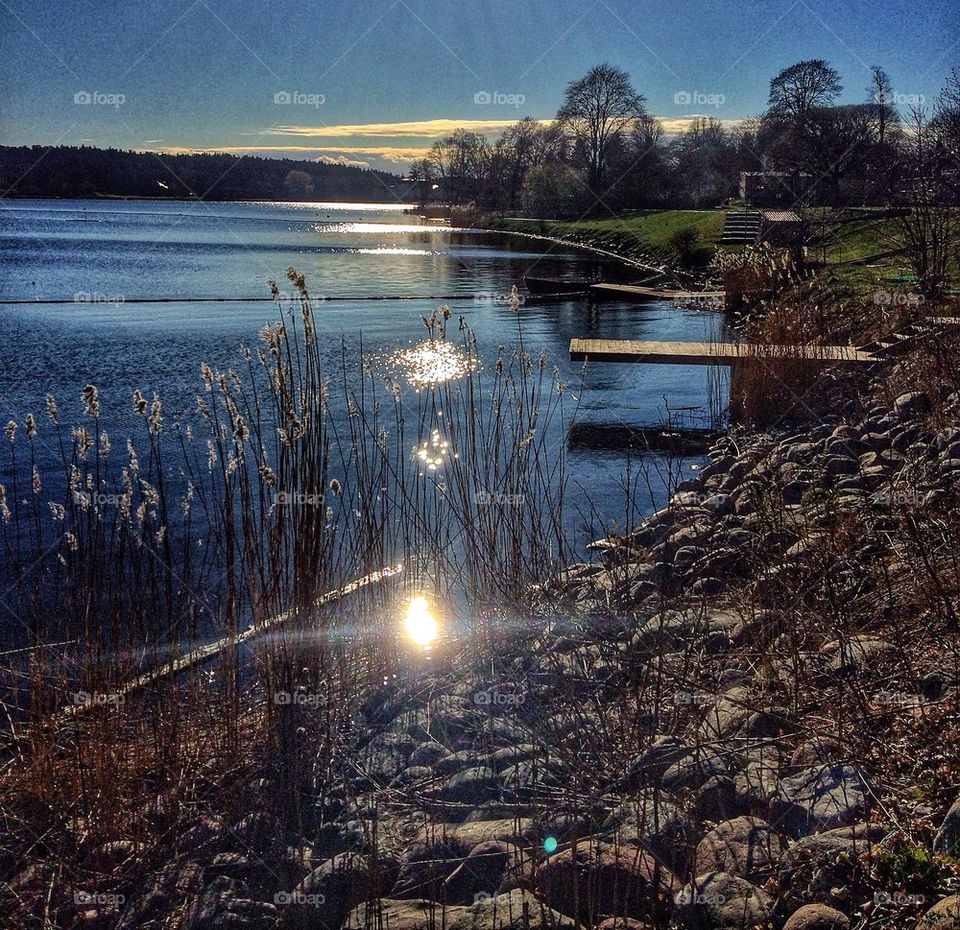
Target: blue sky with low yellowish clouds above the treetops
375	82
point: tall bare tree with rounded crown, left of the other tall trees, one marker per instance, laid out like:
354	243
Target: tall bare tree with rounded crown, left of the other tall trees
598	109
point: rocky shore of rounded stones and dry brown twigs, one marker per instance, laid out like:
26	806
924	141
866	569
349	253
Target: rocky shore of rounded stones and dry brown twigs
743	715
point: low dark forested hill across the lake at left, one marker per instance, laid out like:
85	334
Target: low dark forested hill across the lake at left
70	171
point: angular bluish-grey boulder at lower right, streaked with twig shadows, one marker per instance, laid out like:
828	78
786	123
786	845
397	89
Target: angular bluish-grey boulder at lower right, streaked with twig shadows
821	798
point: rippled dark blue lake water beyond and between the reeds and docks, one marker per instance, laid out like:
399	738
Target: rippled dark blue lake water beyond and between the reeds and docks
107	254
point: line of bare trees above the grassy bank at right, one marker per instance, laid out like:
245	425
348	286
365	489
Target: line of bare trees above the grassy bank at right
604	151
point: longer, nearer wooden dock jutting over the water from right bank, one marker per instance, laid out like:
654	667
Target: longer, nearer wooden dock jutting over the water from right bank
709	353
